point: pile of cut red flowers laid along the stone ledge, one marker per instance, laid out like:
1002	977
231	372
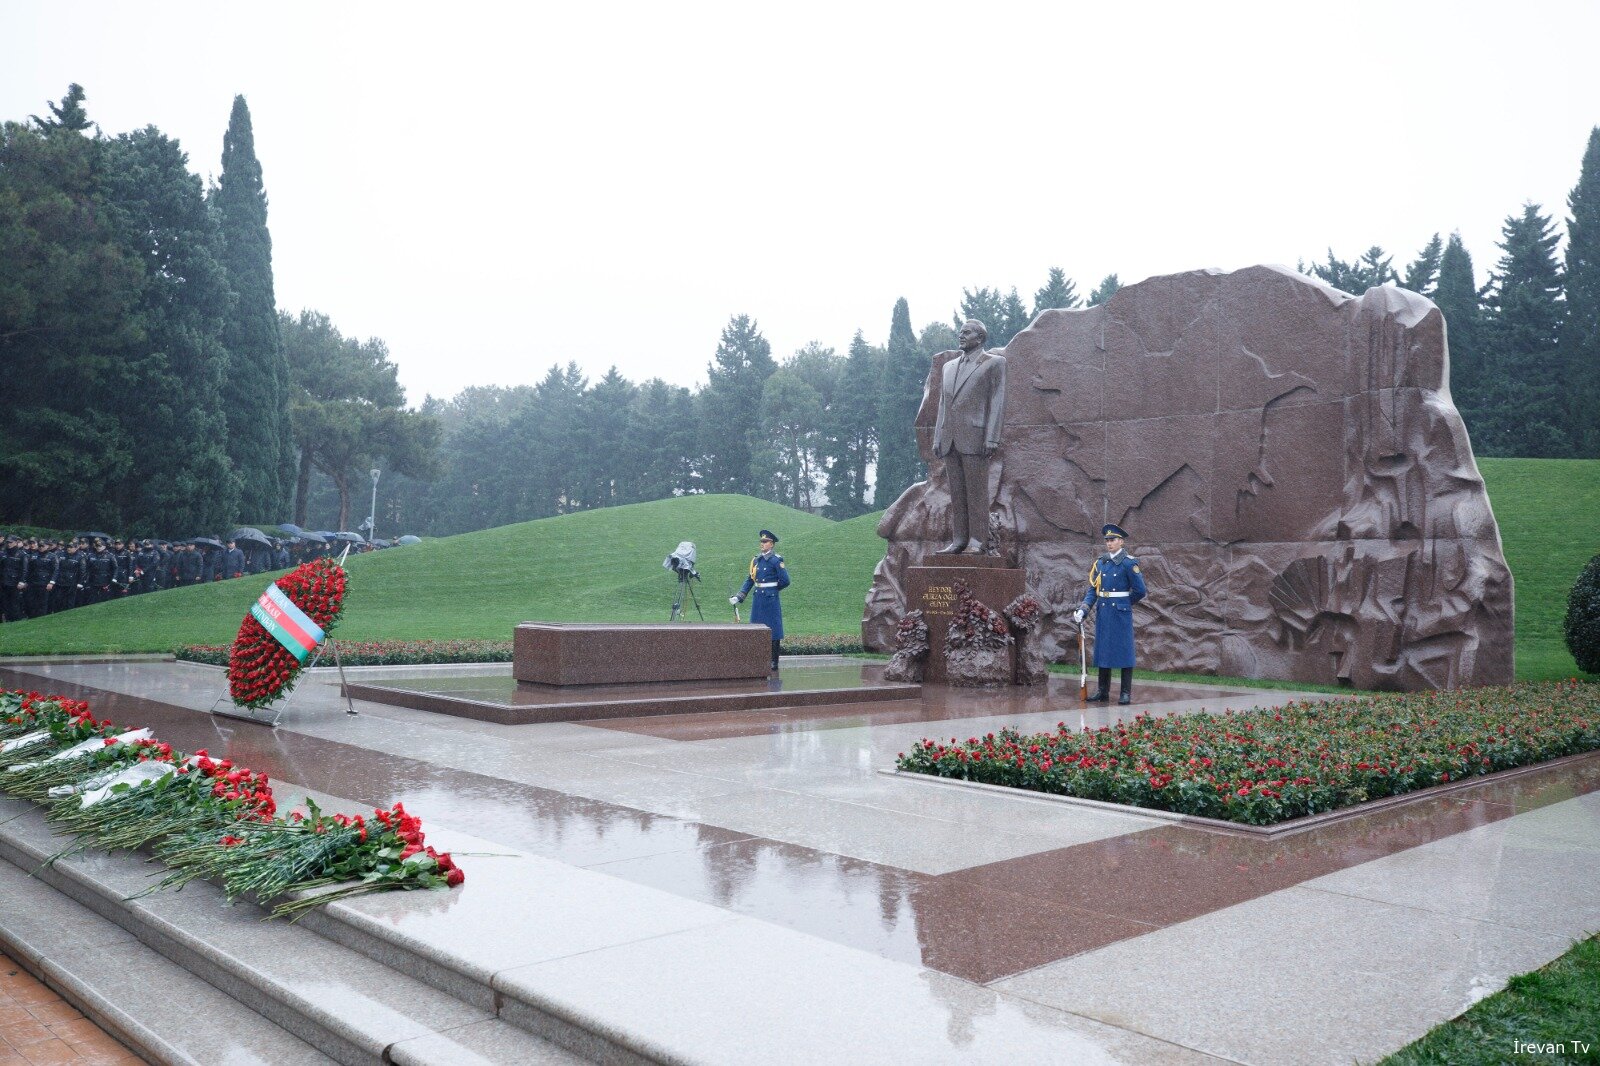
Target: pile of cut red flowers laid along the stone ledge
119	788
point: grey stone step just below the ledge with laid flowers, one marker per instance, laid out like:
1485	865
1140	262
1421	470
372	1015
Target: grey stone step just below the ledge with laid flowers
340	1003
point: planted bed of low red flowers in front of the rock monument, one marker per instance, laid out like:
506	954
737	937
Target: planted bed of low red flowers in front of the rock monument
1263	767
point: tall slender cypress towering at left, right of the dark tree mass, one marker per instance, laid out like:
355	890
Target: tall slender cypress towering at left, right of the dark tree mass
257	387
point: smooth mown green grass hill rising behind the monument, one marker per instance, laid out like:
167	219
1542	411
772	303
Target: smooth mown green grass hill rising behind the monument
606	566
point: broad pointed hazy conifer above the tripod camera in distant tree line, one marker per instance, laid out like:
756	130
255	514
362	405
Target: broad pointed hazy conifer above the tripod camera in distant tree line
732	407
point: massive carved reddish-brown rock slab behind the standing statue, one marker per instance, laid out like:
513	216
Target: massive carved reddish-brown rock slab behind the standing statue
1287	459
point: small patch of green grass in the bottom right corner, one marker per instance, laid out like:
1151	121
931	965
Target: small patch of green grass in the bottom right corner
1556	1006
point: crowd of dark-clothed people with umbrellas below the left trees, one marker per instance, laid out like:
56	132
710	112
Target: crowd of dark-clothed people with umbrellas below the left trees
42	577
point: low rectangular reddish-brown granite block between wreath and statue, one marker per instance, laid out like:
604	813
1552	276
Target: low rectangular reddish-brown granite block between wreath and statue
614	654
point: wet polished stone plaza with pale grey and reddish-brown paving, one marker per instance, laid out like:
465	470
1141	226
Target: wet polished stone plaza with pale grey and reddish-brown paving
751	888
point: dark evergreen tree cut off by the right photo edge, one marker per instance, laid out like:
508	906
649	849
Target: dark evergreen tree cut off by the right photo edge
1582	331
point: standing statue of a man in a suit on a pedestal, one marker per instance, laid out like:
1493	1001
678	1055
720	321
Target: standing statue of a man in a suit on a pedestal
967	435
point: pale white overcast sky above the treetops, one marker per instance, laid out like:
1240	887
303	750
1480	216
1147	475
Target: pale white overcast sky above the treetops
495	188
